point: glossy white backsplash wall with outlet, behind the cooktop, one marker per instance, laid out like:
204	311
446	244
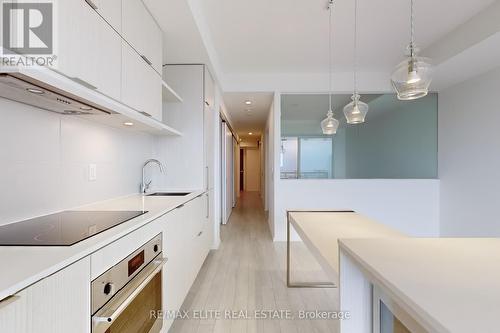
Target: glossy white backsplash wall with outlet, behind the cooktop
44	159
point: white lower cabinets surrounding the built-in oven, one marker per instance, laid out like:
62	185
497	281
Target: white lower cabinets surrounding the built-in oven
60	303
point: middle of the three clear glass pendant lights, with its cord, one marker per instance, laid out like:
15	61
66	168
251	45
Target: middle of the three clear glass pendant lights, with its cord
355	112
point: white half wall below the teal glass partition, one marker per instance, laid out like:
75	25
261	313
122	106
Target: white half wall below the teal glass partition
410	206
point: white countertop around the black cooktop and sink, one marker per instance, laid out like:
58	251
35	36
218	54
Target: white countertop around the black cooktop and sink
25	265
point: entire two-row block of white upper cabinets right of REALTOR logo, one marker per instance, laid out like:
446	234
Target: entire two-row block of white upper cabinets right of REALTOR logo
114	47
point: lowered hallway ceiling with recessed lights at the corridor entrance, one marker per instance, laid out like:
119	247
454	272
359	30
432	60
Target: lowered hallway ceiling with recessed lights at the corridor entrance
245	121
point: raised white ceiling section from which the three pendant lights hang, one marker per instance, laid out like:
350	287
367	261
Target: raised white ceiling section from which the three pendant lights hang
263	36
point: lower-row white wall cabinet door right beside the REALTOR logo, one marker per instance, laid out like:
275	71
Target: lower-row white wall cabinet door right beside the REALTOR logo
89	50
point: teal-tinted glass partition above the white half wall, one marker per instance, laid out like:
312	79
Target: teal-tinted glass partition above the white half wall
397	141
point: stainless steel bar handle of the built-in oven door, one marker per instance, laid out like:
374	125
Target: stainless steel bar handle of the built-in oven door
105	317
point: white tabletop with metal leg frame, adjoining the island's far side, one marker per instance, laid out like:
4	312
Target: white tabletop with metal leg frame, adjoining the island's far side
320	232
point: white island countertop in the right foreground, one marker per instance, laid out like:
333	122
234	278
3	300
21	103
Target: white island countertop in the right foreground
447	284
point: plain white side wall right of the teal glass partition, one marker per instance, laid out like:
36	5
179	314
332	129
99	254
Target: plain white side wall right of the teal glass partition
469	157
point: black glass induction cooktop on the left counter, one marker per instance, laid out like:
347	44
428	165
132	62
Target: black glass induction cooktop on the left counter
62	229
